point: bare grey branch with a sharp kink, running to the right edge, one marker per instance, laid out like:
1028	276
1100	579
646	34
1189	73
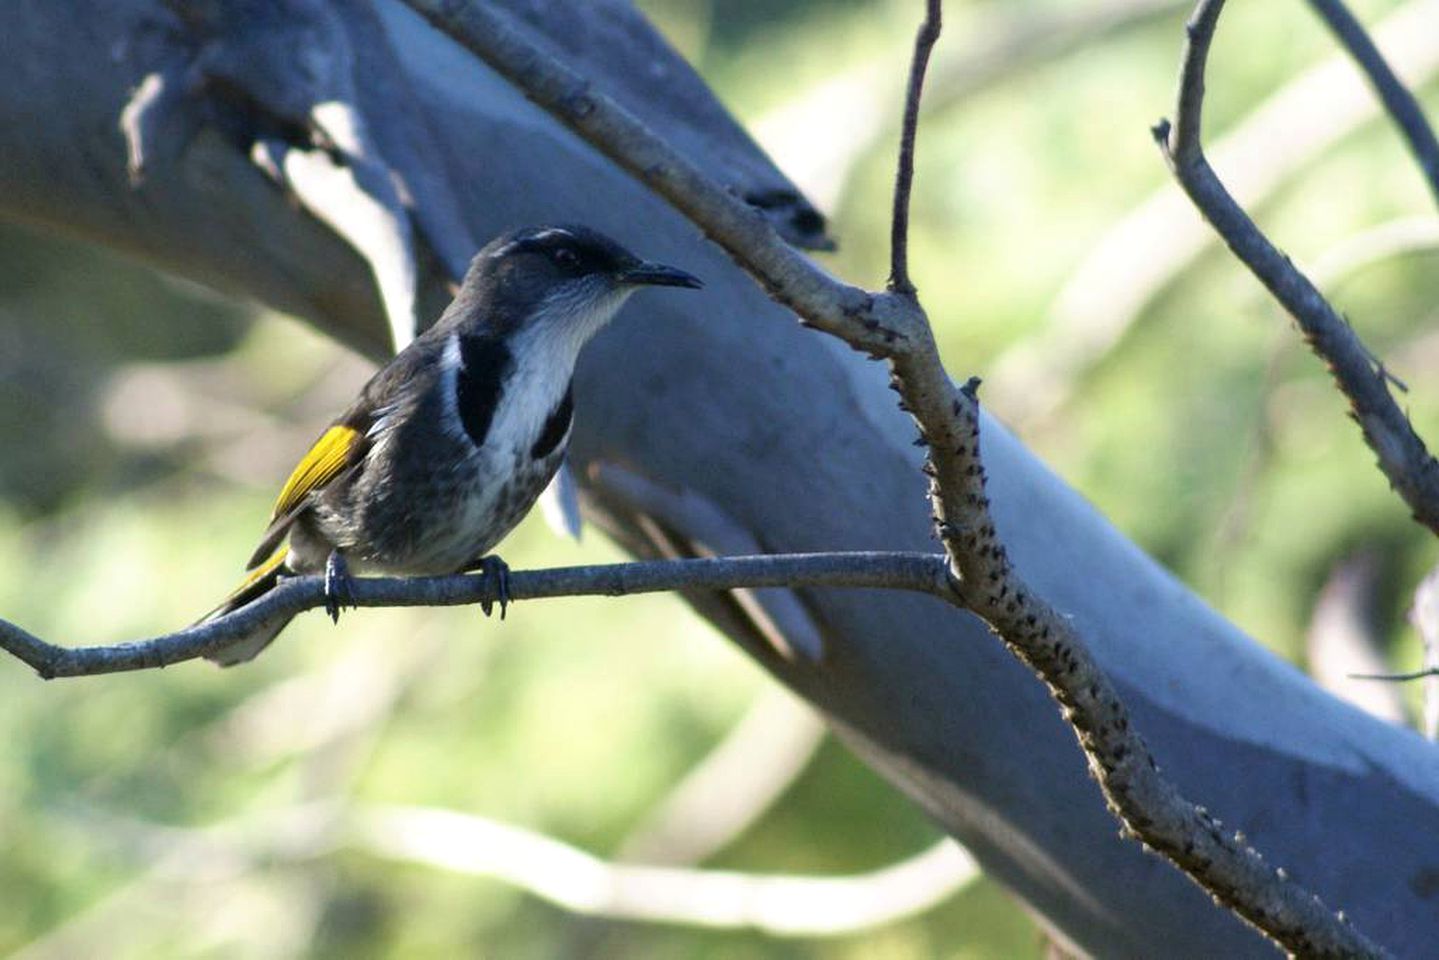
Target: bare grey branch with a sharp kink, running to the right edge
1402	454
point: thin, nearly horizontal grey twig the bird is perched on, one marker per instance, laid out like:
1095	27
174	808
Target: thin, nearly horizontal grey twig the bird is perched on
925	574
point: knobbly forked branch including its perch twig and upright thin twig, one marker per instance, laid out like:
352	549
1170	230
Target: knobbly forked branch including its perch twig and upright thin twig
976	572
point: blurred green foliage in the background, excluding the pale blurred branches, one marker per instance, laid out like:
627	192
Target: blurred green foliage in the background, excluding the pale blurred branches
146	425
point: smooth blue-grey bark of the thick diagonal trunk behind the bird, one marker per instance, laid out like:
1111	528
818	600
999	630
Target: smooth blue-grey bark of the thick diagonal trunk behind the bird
799	441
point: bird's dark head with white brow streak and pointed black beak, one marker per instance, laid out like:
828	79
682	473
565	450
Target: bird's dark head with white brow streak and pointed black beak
558	281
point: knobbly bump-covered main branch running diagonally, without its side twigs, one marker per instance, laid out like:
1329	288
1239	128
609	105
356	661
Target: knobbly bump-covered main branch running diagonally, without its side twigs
894	327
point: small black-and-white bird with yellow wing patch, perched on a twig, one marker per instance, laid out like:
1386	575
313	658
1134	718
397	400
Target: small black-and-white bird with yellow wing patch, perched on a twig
451	443
